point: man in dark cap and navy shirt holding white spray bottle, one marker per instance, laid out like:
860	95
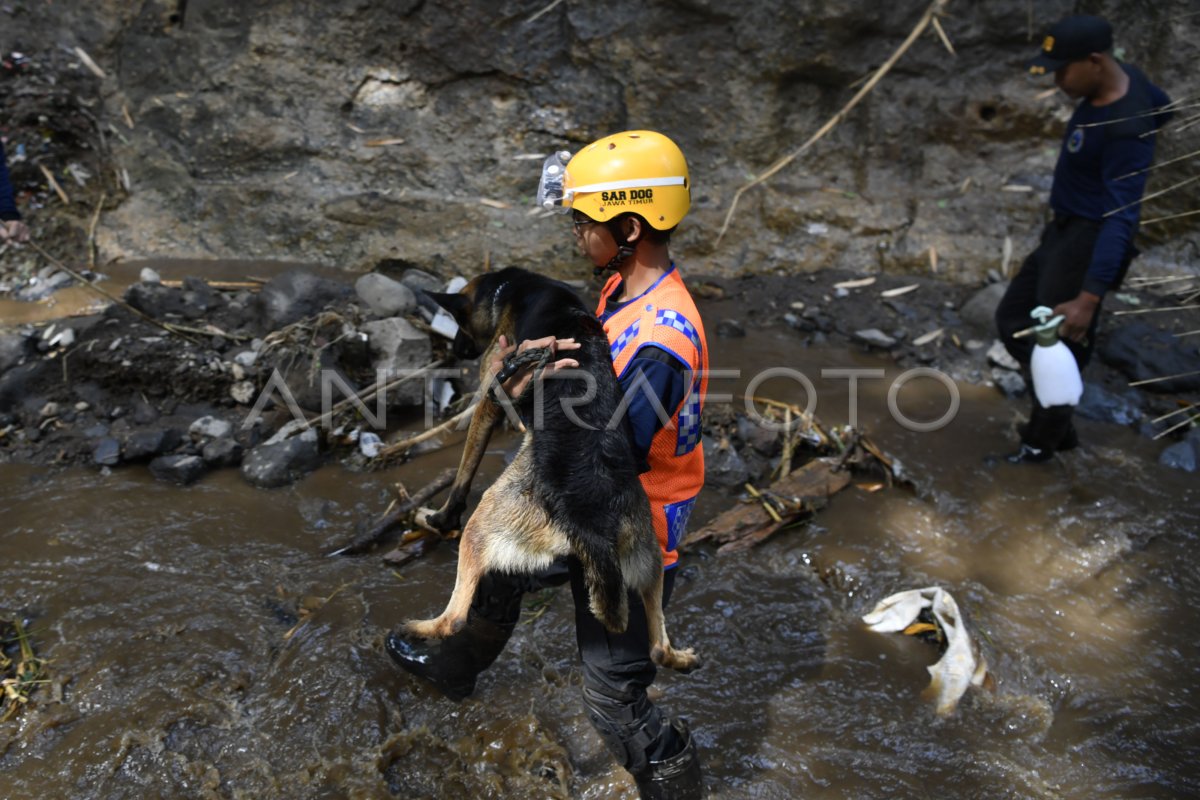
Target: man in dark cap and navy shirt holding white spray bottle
1096	199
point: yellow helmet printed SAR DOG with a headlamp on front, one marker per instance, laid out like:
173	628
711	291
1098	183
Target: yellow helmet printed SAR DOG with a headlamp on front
639	172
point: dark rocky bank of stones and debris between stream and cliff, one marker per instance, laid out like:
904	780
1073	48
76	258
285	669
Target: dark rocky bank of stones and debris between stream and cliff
205	376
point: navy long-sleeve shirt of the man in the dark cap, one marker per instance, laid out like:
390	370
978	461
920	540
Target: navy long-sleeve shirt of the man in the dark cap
1093	177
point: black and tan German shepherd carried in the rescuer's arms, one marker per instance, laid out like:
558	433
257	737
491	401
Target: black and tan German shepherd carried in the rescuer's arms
573	489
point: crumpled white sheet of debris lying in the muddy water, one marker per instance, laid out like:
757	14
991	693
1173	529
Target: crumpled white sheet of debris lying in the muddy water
959	666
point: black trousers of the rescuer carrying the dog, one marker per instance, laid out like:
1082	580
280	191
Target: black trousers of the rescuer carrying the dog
617	667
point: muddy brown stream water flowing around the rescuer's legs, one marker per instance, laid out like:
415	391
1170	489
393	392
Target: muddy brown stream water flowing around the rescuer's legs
166	615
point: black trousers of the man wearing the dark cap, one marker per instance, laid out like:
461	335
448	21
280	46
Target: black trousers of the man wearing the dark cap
1051	275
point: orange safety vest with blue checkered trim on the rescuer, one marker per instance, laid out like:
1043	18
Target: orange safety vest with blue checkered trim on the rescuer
667	316
